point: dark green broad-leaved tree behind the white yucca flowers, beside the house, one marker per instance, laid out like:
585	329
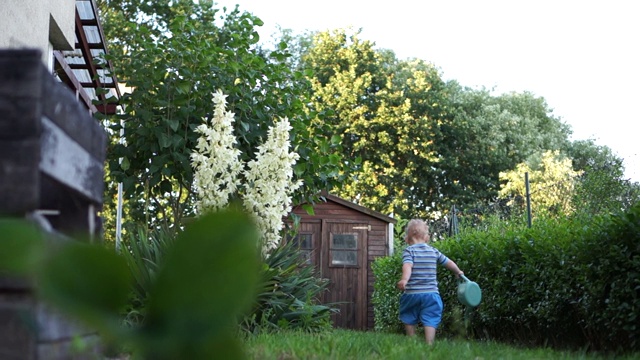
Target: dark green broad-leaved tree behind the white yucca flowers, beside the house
174	54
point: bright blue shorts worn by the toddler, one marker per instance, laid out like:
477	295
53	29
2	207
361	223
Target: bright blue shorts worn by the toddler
425	307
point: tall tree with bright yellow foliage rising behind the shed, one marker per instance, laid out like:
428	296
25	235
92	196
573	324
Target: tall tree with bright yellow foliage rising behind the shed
387	135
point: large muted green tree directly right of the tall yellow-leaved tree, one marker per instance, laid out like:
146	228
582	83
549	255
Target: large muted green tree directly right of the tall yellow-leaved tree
486	135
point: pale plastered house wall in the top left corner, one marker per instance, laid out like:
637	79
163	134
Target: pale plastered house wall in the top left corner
43	24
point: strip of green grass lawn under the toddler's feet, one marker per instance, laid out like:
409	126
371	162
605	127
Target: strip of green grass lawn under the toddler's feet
345	344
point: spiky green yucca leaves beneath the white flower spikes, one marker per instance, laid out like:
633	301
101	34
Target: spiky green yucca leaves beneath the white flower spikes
288	292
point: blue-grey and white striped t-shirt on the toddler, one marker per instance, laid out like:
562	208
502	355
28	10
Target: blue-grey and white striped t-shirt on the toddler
423	274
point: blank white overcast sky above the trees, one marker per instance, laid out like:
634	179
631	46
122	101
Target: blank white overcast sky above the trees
581	56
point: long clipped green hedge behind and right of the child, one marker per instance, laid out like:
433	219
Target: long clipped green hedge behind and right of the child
561	283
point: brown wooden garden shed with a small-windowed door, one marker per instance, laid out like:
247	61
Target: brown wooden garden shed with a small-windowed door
342	239
